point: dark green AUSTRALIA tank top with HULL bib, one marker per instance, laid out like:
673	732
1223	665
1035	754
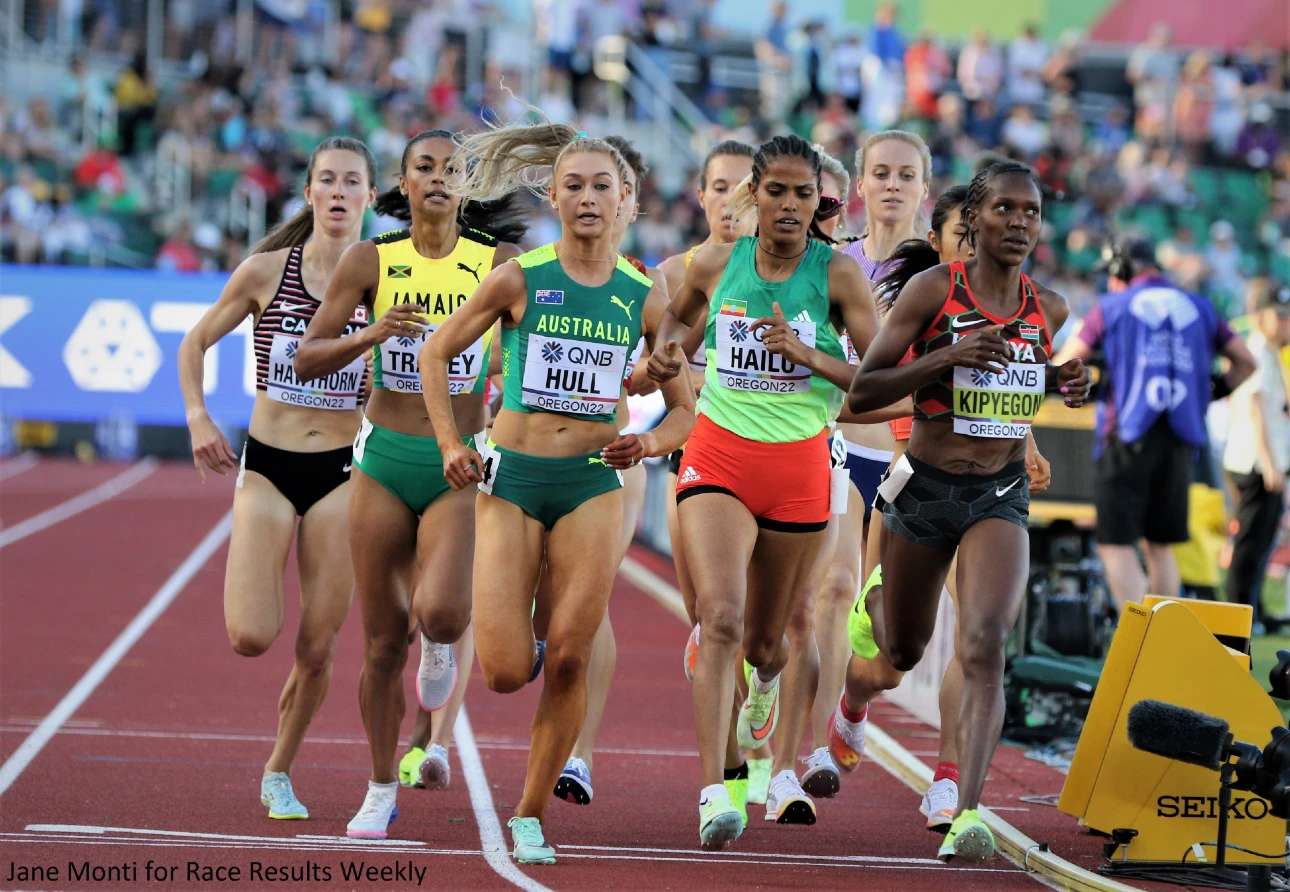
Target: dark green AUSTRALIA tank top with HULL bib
570	353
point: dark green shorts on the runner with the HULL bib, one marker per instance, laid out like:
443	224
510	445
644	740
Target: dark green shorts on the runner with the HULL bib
546	489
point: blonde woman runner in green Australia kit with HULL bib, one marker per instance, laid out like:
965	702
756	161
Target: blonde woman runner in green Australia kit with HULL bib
571	316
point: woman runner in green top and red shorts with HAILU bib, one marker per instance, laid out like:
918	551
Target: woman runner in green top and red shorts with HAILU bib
754	498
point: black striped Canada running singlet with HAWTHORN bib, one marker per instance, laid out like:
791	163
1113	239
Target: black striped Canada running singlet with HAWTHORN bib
278	335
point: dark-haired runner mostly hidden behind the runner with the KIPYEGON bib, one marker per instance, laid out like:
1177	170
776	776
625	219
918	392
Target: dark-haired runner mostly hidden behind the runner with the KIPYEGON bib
871	674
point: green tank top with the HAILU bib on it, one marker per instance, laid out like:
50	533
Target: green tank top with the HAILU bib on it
750	390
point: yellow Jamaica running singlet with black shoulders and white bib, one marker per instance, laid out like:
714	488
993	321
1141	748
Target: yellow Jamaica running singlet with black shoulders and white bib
438	287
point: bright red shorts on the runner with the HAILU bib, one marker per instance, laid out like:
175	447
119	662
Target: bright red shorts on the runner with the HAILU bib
784	485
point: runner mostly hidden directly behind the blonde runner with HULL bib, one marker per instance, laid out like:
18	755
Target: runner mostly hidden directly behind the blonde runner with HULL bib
575	784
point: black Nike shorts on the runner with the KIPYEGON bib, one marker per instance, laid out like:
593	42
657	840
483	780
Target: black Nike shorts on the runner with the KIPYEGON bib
937	509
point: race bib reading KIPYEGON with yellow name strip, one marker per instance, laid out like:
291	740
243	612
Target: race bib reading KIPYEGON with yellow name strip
998	405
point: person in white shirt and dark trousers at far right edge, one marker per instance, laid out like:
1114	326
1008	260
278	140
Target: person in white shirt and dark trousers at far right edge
1258	446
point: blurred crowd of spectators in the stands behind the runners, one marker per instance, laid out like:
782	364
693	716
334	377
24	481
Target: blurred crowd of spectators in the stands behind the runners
132	137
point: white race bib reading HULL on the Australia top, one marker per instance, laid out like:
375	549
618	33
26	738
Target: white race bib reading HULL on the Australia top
573	378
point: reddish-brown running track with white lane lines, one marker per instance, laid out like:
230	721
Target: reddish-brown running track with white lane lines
162	760
